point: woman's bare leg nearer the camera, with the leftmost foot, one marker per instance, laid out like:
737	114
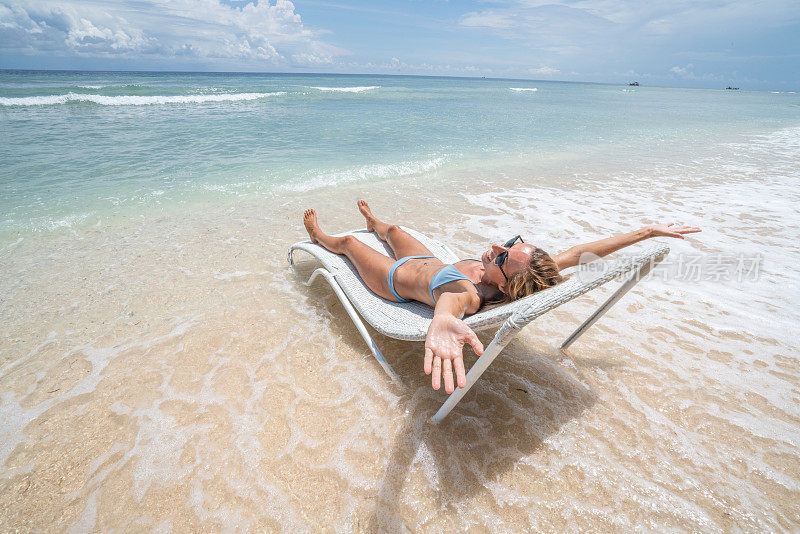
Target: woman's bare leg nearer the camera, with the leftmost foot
372	266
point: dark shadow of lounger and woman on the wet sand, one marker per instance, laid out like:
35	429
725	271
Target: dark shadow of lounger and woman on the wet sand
524	398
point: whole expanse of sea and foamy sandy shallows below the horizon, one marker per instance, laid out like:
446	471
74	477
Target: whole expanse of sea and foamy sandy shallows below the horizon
163	369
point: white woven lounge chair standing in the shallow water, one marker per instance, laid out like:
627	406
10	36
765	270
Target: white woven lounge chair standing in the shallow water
409	320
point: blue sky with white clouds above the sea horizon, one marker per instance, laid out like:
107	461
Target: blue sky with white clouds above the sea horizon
752	44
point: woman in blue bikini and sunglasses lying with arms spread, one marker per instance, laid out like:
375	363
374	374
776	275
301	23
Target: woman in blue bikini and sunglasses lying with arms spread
504	272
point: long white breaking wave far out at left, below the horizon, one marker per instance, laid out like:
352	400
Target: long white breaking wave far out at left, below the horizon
131	100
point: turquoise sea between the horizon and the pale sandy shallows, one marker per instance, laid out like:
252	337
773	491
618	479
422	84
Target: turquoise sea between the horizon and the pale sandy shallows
78	145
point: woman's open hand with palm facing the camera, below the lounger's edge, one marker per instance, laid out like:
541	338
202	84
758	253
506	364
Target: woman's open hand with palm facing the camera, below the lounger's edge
446	336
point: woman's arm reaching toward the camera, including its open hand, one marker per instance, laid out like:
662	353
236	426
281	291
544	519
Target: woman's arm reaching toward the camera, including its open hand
446	336
